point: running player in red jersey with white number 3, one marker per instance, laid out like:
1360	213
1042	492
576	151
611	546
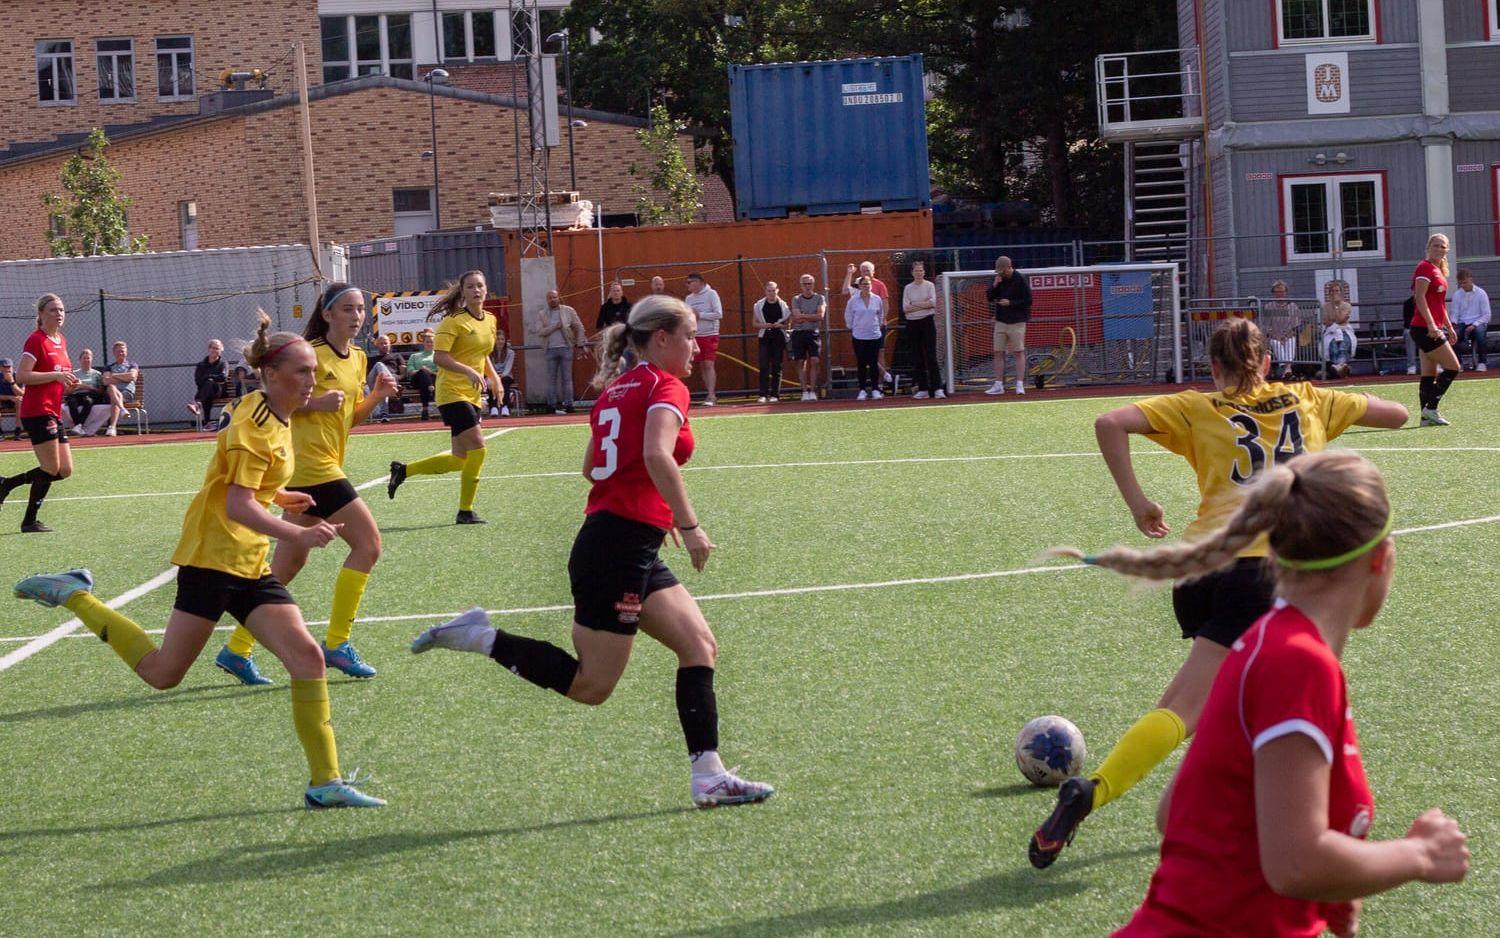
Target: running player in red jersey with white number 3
640	440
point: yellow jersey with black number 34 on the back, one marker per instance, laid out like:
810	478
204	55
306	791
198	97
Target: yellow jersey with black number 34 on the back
1232	439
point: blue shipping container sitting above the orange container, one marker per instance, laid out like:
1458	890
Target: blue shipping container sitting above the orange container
829	137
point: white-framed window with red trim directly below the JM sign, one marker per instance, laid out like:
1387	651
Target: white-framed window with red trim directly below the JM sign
1328	217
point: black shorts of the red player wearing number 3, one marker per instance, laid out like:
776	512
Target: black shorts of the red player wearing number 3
614	567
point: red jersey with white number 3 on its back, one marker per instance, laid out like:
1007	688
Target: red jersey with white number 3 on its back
619	431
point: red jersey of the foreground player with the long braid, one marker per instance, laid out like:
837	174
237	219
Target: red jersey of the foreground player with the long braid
1280	679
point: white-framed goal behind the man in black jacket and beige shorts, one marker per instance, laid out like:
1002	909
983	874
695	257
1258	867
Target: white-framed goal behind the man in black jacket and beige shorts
1100	323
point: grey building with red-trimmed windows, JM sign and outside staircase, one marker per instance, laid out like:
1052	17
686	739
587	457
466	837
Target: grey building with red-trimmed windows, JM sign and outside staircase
1313	142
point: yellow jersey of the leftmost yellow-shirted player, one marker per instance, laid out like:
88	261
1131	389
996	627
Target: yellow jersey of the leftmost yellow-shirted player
254	451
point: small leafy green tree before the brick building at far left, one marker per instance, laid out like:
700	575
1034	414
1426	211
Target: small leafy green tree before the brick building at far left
91	217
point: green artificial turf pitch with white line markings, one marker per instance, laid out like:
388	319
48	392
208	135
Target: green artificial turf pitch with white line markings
886	715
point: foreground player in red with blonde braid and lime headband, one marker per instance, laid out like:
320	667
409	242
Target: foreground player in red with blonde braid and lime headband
1265	823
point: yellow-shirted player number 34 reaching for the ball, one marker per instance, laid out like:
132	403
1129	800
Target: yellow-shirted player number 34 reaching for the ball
1231	437
